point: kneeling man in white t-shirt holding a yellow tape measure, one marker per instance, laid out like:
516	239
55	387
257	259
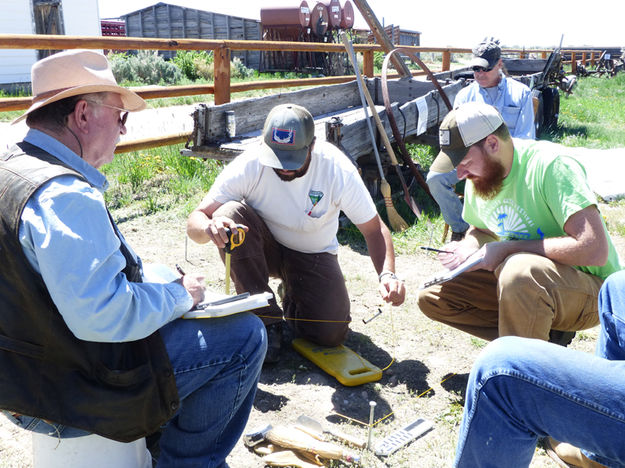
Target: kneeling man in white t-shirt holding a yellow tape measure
289	191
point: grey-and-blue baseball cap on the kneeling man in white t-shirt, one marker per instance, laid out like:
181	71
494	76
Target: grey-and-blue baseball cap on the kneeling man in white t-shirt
288	132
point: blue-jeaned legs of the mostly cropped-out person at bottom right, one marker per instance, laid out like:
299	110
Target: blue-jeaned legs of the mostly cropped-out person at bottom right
522	389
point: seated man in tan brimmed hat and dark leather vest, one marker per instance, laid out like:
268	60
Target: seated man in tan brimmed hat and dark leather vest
87	340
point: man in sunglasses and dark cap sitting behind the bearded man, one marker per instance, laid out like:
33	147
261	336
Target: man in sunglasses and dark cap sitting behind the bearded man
511	98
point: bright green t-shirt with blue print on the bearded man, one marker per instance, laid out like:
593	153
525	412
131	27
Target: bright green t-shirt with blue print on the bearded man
543	189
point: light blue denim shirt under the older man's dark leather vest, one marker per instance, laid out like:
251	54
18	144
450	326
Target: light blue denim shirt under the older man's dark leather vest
67	237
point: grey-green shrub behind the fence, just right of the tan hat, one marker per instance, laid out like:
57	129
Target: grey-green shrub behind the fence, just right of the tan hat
147	67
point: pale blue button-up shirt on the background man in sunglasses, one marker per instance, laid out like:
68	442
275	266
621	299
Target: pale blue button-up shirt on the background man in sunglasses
513	101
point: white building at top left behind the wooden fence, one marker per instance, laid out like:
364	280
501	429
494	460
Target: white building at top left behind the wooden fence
67	17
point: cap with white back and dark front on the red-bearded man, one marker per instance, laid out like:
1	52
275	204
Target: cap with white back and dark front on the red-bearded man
462	128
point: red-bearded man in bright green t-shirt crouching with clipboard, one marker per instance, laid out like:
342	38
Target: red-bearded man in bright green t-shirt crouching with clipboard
535	224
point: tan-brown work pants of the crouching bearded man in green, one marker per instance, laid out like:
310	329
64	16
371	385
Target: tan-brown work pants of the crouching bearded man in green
527	295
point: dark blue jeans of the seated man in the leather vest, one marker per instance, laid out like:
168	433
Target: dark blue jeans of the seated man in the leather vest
216	364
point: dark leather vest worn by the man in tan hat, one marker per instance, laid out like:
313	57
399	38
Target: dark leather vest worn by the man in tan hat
122	391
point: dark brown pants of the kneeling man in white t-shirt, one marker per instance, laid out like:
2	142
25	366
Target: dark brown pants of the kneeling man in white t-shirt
315	302
